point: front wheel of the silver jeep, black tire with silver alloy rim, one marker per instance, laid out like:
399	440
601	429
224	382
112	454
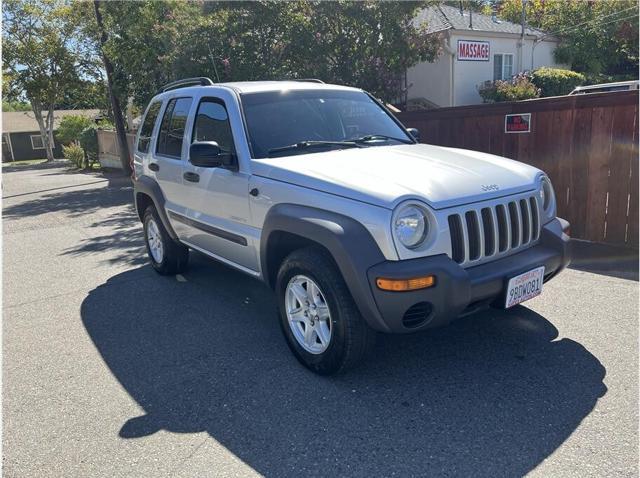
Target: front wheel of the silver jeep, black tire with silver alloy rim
319	319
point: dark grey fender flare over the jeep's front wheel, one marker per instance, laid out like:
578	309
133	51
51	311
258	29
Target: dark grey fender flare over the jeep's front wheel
350	244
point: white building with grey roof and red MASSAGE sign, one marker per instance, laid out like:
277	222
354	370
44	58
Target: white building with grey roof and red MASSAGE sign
478	48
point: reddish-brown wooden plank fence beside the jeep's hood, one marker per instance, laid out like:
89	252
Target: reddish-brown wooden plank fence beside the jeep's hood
587	144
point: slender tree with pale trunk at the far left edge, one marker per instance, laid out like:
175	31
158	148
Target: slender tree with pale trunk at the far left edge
40	57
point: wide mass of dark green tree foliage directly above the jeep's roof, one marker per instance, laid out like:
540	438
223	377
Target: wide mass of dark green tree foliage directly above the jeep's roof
367	44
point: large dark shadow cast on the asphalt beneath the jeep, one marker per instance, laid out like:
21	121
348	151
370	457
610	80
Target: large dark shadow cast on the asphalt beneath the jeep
492	394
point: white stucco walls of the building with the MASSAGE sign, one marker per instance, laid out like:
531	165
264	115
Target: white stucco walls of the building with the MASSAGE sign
431	80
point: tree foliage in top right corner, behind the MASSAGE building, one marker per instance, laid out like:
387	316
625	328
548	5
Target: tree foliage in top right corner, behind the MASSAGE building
597	37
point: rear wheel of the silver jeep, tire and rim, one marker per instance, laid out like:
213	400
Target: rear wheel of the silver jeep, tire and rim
168	257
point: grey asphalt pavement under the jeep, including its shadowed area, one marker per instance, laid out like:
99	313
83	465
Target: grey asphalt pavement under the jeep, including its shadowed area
111	370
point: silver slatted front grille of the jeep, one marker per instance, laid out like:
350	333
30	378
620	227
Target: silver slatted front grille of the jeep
485	232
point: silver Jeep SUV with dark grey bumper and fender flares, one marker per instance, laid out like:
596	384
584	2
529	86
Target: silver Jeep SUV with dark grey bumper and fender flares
320	192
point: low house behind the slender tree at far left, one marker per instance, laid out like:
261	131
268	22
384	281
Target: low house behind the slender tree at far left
21	137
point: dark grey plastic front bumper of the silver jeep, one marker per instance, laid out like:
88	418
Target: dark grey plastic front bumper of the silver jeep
461	291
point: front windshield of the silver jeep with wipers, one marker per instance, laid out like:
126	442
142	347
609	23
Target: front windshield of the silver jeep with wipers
279	122
